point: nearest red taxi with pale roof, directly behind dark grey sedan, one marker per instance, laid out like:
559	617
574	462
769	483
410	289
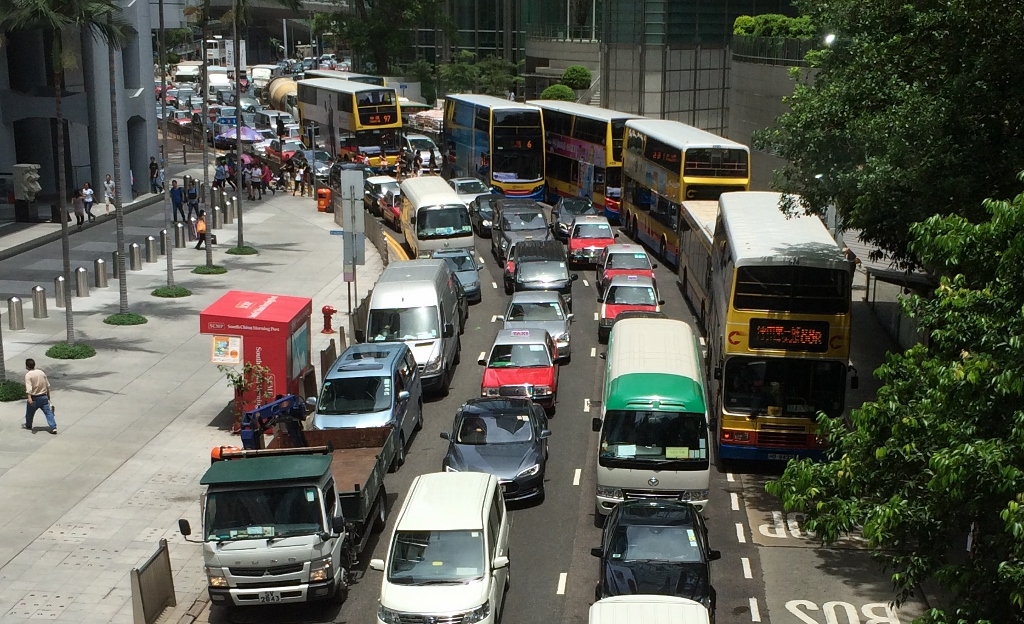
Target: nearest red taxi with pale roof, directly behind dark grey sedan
523	363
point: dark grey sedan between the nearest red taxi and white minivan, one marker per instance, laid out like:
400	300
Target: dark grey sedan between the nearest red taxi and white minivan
505	437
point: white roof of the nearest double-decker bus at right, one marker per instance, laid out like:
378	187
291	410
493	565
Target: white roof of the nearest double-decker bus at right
760	234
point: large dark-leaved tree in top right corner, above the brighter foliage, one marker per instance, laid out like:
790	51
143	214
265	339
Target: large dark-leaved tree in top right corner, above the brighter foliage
913	111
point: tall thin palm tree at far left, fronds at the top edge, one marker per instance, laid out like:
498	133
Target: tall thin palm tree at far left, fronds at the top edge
103	20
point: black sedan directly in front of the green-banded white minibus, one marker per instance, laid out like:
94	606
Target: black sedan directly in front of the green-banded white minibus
657	547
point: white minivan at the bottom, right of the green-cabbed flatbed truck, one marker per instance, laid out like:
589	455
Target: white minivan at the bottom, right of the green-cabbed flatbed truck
449	557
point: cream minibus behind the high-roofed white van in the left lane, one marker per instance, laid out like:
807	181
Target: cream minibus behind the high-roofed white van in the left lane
435	218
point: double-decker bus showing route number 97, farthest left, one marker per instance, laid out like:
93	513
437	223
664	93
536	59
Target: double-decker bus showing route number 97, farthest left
354	118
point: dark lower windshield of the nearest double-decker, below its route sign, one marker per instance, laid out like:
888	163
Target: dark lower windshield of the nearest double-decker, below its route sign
785	387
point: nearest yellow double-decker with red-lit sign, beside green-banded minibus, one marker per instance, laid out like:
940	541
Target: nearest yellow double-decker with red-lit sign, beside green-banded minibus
779	329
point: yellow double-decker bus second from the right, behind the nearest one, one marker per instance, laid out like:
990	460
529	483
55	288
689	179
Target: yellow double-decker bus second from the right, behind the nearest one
667	163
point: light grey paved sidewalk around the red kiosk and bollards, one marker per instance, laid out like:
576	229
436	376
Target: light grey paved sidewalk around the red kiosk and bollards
138	422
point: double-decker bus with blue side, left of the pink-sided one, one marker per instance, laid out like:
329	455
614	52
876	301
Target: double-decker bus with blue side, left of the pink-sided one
497	141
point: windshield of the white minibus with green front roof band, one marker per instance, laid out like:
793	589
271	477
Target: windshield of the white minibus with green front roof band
654	436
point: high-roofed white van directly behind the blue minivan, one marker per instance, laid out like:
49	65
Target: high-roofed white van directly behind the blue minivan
418	303
